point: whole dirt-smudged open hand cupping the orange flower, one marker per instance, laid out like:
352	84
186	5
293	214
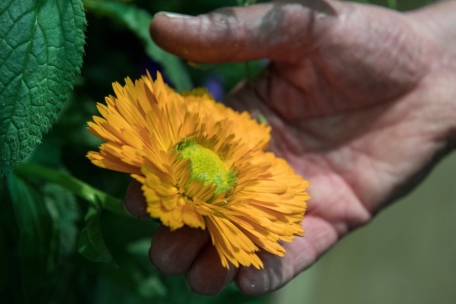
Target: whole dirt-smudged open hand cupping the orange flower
361	101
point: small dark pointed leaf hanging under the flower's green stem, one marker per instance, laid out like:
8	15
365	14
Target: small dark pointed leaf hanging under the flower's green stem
91	244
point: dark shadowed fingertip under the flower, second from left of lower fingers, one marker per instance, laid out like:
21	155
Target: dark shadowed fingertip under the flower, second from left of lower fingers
173	252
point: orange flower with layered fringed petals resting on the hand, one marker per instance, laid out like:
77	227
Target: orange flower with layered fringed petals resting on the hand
203	165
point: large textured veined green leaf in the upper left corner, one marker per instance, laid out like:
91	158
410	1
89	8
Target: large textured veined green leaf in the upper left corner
41	43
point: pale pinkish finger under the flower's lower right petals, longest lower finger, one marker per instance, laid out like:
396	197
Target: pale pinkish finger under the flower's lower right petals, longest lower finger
301	254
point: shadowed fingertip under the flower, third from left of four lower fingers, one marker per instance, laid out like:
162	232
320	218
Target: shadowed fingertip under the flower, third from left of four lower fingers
207	276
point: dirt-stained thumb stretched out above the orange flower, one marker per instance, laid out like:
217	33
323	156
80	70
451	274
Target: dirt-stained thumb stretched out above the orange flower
244	33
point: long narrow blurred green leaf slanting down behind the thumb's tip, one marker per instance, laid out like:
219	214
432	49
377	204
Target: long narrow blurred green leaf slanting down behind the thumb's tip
138	21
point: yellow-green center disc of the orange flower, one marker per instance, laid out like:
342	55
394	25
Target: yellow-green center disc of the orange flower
207	166
